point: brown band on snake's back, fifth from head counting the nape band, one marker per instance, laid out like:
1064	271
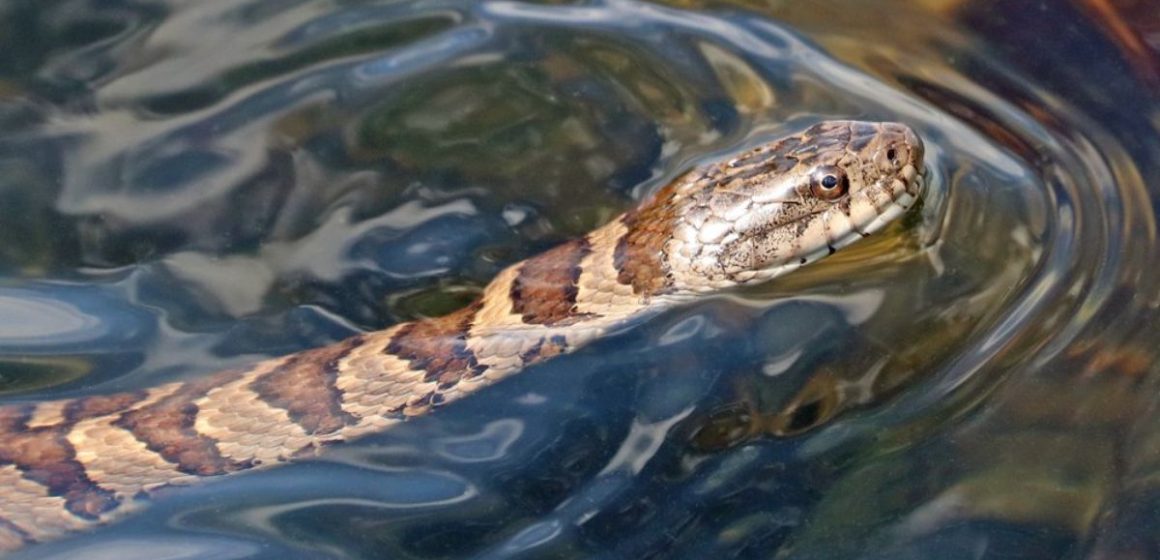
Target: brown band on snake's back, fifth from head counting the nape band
166	428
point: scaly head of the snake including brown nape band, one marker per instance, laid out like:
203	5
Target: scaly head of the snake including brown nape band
781	205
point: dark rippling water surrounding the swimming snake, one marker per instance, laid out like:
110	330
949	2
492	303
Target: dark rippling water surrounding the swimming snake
192	186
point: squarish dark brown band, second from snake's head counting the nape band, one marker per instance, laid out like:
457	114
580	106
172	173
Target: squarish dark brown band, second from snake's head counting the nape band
546	290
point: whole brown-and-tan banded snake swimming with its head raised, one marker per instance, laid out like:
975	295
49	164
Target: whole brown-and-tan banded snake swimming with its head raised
69	466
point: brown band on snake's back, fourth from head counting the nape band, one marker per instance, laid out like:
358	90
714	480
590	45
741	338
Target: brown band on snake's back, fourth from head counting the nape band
303	386
